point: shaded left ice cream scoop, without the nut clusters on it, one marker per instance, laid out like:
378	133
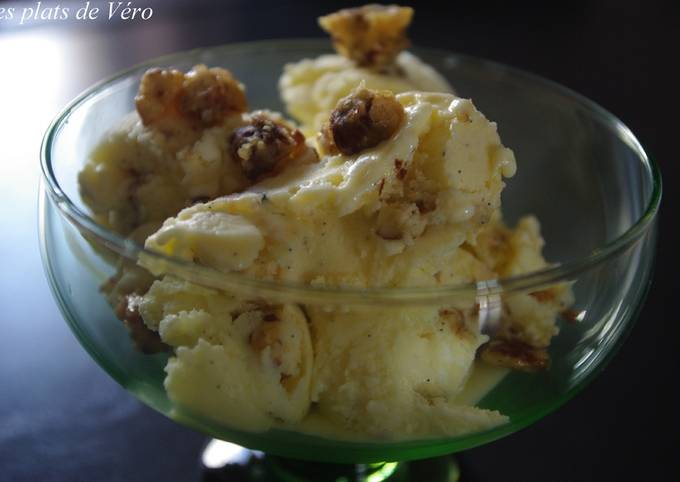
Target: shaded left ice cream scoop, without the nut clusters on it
136	175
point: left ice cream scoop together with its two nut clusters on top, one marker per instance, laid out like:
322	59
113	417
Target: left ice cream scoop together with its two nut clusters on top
178	148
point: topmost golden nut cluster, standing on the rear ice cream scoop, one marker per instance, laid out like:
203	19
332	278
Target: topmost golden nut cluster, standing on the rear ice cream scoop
371	35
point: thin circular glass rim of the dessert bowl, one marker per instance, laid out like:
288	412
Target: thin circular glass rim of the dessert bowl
533	280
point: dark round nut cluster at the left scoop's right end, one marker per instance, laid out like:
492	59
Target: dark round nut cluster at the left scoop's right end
266	145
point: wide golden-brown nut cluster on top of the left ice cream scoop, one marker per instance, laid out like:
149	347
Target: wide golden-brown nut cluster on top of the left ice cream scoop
203	97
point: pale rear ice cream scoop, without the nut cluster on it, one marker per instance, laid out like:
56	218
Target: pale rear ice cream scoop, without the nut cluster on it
311	88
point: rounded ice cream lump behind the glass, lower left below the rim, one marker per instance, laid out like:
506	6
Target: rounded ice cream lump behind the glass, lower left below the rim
245	364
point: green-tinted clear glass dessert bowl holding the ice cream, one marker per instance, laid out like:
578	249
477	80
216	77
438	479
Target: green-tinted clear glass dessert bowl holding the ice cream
582	172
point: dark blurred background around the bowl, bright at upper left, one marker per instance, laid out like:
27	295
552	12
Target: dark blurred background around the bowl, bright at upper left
62	418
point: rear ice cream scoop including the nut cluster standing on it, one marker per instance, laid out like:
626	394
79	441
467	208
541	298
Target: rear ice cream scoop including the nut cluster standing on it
369	40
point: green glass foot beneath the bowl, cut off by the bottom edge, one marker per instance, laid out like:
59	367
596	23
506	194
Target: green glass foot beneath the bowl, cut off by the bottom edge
227	462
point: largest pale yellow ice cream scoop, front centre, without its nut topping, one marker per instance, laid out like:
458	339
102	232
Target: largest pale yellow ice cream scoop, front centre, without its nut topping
326	224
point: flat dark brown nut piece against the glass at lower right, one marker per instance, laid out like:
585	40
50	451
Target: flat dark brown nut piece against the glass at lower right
515	355
